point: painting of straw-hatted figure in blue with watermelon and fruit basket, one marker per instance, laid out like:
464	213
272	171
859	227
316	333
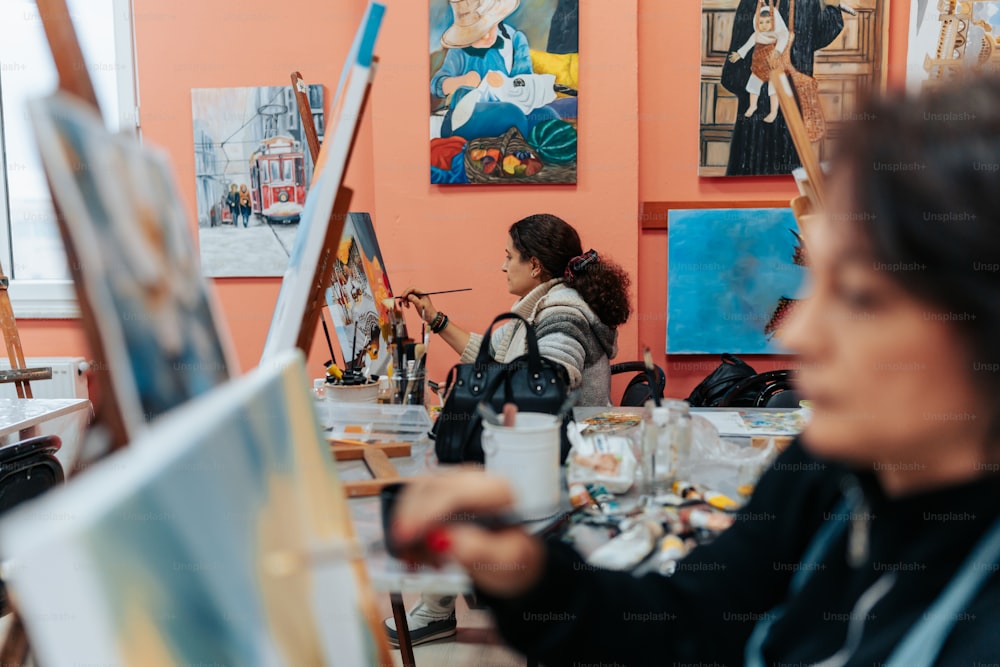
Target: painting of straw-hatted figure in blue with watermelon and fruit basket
504	85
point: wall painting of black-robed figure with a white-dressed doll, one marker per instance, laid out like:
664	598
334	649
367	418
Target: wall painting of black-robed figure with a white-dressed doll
839	56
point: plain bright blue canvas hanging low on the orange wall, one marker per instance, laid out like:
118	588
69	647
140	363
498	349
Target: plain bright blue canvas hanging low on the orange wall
732	276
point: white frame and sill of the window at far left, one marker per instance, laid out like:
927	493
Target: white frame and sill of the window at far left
56	299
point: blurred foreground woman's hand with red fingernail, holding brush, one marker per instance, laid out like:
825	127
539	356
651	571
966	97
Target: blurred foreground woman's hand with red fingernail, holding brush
448	516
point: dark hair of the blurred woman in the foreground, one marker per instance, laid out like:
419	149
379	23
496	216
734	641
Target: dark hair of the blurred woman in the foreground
924	174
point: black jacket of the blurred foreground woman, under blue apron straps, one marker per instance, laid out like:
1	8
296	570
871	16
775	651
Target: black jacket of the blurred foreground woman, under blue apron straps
706	611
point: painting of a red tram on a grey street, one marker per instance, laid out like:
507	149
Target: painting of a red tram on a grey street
253	170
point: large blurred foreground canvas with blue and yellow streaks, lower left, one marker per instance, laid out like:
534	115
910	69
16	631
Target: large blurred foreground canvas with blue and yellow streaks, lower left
175	551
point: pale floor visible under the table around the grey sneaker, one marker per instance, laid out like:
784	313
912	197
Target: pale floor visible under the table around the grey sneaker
476	644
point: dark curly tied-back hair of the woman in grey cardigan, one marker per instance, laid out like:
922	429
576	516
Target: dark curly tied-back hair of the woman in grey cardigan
603	284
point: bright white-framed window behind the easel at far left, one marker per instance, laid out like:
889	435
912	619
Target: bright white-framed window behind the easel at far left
31	248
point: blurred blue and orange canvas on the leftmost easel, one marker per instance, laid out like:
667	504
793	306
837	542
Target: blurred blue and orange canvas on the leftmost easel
150	317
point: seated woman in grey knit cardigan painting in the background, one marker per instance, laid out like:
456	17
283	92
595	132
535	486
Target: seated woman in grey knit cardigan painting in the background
576	301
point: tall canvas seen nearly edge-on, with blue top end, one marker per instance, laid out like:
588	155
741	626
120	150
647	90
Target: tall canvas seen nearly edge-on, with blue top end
310	265
